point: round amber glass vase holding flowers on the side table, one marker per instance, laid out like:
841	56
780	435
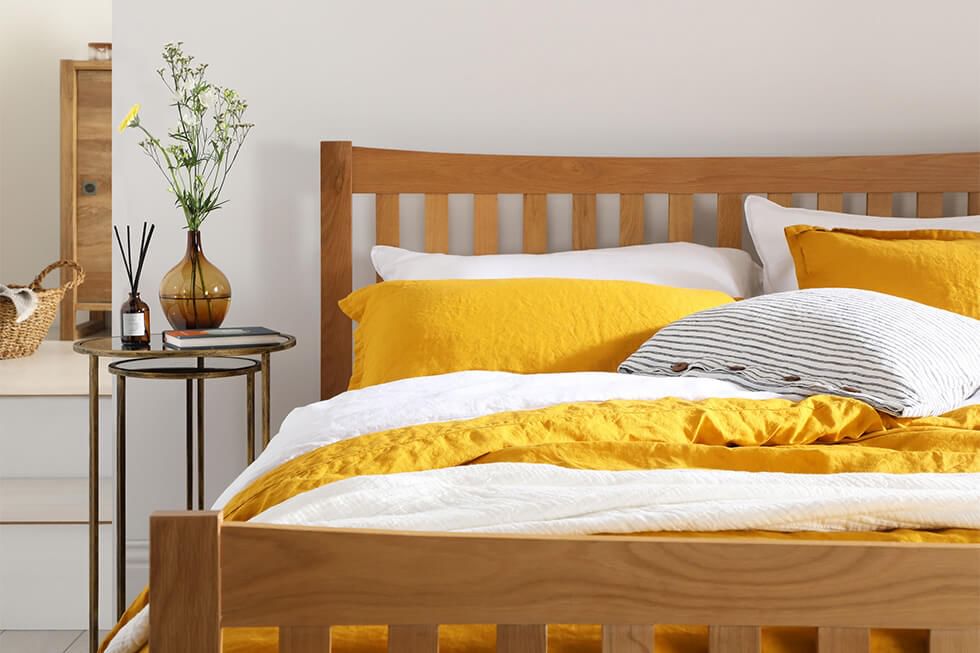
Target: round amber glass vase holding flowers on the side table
195	294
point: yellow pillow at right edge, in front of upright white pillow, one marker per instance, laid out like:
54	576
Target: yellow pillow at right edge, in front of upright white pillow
931	266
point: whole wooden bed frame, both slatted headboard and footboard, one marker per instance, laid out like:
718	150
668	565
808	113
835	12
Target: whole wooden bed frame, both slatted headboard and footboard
206	574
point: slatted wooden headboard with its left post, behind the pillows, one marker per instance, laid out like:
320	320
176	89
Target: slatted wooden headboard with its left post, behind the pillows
345	170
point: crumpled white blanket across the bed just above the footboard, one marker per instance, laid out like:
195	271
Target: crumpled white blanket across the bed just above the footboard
550	500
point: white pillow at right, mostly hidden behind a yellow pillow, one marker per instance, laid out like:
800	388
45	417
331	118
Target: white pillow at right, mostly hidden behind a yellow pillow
767	220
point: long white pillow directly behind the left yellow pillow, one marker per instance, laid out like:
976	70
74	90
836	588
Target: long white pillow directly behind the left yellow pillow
683	265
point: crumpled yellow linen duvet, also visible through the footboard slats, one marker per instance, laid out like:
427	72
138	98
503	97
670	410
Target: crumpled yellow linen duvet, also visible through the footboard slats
820	435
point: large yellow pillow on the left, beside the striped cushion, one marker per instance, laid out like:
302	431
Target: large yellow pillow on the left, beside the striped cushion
417	328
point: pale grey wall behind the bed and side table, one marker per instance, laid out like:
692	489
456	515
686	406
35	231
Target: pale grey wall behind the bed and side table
549	76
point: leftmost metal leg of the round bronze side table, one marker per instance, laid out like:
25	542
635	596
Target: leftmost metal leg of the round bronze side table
93	503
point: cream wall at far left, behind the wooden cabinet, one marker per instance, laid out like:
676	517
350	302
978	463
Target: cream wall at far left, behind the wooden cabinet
34	36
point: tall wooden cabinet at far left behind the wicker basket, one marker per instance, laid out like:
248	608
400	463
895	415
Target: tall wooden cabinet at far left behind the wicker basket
86	193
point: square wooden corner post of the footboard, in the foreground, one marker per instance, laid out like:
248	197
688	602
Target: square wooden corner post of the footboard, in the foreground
185	582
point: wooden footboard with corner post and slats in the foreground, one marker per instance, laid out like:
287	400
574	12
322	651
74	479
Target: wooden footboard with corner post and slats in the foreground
205	575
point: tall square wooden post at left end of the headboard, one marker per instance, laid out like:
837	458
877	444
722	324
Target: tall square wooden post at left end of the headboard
335	265
